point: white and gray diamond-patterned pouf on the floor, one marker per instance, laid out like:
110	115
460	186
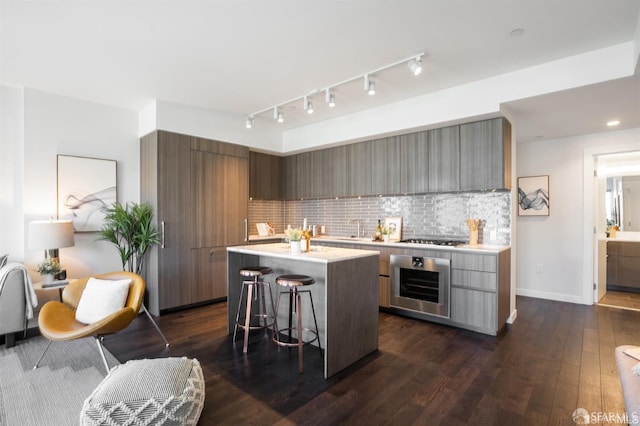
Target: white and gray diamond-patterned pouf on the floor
167	391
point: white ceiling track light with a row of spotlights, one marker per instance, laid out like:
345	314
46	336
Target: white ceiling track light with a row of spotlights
414	63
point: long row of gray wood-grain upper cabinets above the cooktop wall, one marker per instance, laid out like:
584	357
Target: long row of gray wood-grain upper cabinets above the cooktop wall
474	156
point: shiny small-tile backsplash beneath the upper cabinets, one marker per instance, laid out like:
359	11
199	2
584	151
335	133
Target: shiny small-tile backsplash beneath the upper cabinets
436	215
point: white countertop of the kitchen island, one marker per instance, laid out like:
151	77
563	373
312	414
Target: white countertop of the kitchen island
318	254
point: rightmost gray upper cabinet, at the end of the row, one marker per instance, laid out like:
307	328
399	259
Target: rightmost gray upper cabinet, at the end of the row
485	155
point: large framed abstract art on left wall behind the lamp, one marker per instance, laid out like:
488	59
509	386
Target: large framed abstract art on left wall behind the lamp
85	187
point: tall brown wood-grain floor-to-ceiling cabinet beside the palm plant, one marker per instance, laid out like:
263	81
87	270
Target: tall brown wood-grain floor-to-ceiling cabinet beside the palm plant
199	190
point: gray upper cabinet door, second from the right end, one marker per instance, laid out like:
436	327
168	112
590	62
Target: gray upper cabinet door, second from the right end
444	159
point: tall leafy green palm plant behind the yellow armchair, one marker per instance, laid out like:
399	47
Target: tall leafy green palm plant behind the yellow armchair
131	230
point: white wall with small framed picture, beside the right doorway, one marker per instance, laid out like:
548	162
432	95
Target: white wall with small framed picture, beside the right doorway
557	242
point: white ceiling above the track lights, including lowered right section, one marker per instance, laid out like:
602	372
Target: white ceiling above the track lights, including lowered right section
245	56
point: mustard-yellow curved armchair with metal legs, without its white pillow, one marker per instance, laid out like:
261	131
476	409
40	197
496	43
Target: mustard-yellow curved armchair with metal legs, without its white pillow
57	321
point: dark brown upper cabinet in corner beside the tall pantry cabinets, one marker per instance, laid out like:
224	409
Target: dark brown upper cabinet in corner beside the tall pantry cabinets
265	176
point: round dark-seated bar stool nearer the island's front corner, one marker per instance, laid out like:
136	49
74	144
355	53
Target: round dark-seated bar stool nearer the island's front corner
293	282
